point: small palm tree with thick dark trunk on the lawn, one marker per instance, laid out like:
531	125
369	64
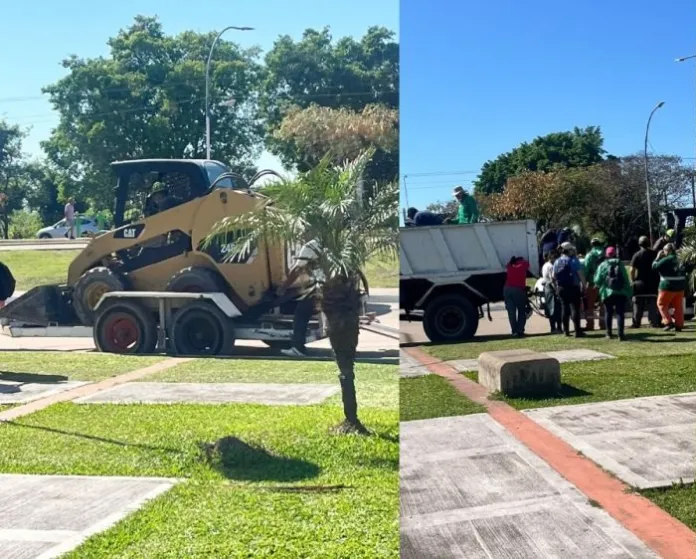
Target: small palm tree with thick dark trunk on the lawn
328	205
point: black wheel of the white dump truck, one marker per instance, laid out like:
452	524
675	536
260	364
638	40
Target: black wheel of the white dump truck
450	318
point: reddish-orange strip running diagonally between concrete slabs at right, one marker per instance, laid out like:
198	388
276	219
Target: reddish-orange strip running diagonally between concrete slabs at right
664	534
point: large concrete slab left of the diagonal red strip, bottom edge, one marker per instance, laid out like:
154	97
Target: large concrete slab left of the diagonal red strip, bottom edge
470	490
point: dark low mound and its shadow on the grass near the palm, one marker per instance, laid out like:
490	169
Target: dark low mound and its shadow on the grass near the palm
241	461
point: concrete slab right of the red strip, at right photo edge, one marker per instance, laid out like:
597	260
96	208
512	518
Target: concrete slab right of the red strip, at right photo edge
645	442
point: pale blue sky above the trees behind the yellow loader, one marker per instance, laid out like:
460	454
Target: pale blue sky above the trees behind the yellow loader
35	35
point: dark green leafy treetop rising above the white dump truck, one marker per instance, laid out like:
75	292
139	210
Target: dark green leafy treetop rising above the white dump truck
580	147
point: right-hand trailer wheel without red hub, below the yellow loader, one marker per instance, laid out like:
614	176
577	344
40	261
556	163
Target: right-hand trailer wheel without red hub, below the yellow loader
200	328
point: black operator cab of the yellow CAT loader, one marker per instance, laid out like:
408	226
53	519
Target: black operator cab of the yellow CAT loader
147	187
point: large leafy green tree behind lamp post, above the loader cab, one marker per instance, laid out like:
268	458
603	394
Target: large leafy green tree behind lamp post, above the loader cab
146	99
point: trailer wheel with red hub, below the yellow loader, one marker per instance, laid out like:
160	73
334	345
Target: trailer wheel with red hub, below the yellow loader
109	327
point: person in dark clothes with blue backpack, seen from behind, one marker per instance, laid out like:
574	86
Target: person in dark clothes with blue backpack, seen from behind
569	278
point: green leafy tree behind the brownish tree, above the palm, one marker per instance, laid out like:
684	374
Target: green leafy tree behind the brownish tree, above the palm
347	73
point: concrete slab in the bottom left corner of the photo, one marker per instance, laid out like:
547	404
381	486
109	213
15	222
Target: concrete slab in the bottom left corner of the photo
47	516
